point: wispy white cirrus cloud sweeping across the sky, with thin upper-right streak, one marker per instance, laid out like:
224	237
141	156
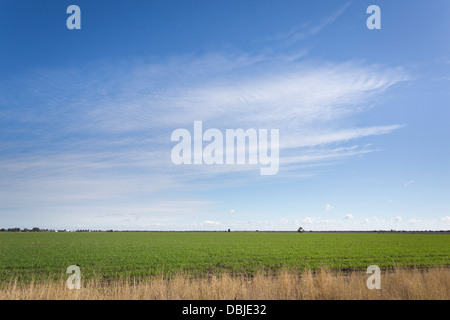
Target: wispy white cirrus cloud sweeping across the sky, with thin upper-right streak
96	137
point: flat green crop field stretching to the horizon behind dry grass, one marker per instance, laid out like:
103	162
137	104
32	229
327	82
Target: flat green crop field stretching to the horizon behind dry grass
40	256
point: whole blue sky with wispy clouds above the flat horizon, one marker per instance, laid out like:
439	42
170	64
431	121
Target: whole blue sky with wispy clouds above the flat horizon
86	115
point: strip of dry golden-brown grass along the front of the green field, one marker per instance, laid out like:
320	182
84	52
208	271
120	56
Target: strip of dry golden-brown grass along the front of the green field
403	284
